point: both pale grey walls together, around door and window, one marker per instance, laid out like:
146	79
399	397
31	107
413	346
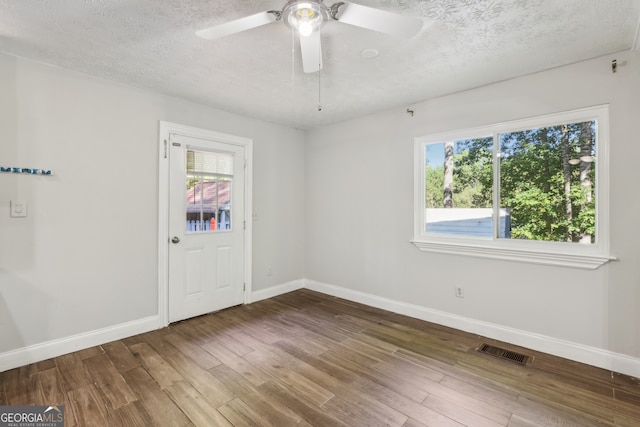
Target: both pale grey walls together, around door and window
334	205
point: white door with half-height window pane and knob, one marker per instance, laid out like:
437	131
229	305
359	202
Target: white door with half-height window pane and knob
206	226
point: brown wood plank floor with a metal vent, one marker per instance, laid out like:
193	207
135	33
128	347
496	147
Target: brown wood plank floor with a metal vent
307	359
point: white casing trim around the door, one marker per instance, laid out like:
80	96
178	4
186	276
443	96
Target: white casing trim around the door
166	130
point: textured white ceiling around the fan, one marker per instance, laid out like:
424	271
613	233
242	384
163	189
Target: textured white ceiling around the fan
463	44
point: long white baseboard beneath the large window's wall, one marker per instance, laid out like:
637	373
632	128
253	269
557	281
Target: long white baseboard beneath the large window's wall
580	353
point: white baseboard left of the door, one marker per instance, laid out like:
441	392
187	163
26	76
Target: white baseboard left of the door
35	353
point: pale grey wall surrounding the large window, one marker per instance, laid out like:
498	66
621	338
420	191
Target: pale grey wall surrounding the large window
359	207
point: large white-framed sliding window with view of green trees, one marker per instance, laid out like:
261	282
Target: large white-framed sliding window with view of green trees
533	190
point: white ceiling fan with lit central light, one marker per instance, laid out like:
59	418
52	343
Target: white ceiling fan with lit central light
307	16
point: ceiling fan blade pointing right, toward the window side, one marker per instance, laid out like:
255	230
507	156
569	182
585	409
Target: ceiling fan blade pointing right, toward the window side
379	20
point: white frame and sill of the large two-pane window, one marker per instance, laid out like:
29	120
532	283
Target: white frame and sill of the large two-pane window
564	254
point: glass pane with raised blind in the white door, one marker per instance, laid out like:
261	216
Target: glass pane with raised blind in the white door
208	191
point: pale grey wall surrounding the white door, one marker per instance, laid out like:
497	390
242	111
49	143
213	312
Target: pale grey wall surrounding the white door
85	258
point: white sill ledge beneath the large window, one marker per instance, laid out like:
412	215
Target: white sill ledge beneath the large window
580	261
